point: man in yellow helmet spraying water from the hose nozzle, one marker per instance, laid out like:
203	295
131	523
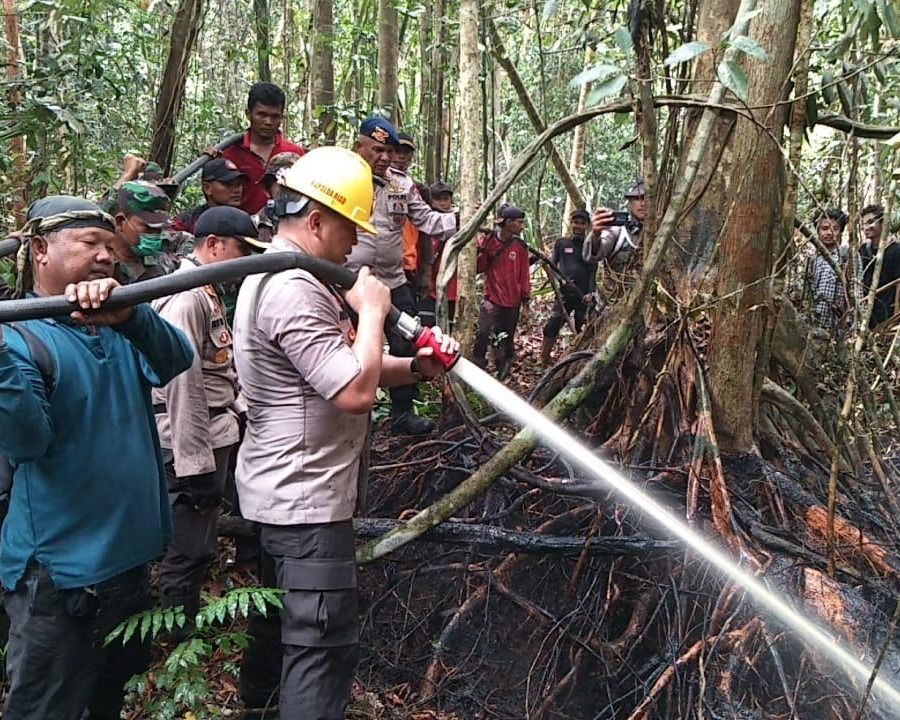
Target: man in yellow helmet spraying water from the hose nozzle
309	379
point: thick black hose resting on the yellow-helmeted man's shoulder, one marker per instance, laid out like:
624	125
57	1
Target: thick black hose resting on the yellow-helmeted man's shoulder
58	306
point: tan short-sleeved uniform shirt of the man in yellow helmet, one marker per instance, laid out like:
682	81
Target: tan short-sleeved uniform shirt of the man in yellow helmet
300	460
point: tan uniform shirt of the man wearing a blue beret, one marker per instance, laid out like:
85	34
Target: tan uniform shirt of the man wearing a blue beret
395	201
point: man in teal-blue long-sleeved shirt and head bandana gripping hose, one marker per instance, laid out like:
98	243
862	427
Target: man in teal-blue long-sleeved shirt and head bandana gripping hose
88	507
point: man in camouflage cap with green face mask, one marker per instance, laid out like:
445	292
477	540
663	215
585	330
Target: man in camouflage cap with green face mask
141	215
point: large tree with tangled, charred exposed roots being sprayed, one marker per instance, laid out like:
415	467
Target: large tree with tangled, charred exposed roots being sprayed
705	380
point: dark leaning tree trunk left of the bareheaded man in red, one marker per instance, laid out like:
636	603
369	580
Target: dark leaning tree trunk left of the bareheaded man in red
184	31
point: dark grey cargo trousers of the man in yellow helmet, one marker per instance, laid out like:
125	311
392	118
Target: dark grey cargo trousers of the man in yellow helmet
316	567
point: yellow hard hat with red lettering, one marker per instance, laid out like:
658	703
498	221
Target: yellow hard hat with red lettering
336	178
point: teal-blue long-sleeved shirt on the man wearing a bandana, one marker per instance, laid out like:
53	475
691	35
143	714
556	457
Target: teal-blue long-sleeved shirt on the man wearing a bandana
89	497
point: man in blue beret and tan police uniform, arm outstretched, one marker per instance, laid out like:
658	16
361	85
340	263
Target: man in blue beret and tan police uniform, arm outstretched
396	199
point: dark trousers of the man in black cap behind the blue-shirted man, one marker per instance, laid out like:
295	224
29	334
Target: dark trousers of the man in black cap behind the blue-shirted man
194	543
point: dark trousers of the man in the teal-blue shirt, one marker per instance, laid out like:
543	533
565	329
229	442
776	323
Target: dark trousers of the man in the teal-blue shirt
57	665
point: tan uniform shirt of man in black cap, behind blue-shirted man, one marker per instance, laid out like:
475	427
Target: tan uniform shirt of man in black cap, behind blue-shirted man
188	427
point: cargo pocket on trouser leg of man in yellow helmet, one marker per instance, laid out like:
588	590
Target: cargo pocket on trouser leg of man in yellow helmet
320	602
